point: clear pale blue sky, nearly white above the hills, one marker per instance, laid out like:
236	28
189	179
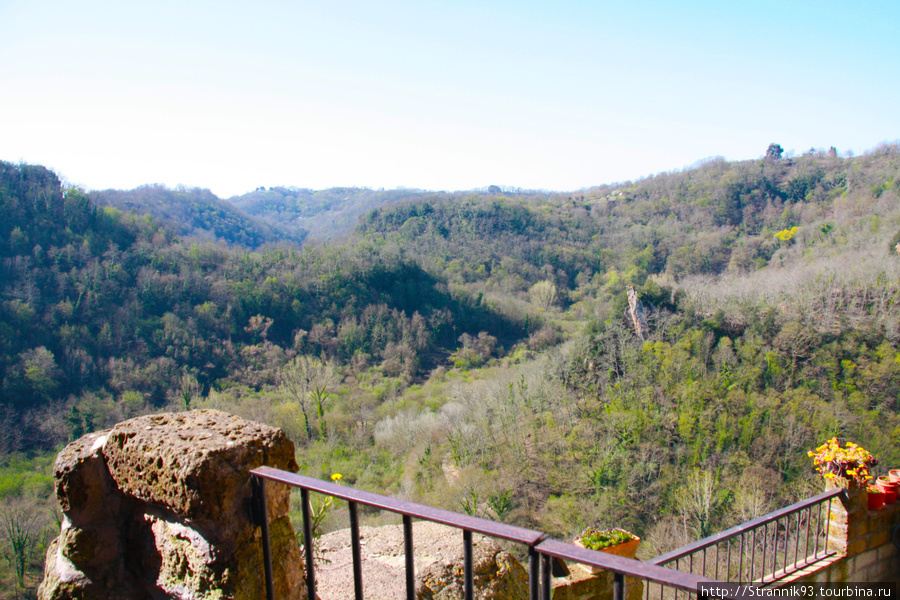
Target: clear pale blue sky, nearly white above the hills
435	95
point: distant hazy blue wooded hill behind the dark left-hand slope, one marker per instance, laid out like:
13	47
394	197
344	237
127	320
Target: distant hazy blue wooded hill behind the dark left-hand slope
200	214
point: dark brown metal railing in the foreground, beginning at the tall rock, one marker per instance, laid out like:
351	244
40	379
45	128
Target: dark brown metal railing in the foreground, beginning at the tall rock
541	551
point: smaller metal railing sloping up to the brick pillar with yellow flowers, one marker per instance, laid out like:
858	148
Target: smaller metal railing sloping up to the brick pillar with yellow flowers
763	550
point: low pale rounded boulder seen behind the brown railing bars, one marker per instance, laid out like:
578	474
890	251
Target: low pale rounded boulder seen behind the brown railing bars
438	565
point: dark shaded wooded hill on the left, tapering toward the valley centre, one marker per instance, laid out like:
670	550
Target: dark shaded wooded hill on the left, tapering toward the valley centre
101	303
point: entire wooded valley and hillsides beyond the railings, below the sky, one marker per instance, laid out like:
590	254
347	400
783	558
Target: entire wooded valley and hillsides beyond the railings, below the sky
471	350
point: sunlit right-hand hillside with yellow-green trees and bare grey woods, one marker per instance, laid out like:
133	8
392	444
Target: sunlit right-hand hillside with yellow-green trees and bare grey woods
771	290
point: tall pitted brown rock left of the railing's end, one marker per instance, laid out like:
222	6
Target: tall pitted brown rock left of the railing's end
159	507
